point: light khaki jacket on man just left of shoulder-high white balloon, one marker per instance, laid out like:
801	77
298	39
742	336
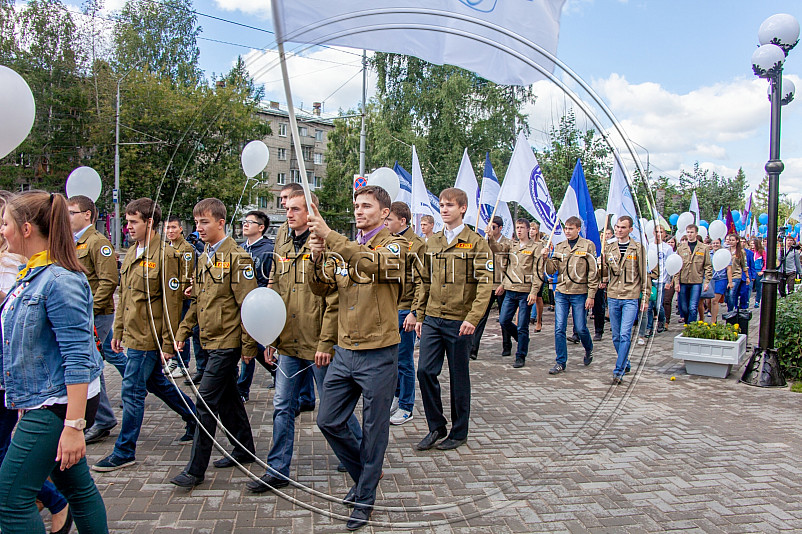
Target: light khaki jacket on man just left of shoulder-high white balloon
626	277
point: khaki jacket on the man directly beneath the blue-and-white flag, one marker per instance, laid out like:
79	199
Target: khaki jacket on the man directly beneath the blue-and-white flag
578	271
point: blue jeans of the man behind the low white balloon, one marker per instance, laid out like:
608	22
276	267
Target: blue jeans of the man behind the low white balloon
285	400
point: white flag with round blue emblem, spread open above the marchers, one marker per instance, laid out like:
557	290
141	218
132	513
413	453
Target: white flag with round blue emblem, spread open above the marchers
525	185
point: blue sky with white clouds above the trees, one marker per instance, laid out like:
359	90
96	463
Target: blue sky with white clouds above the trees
675	73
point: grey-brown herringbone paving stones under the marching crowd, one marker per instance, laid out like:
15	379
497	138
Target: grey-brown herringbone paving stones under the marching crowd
569	453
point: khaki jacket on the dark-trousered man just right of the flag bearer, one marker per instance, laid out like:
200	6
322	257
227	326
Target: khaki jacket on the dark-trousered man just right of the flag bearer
456	281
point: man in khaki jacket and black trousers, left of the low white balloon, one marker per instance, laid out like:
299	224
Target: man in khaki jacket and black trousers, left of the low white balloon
223	278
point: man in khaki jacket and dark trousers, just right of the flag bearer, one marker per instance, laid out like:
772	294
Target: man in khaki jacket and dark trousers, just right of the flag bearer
449	303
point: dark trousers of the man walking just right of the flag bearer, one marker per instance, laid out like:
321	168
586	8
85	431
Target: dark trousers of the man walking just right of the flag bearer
440	338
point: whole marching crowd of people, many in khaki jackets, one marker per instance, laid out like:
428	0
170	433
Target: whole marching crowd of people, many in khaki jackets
355	311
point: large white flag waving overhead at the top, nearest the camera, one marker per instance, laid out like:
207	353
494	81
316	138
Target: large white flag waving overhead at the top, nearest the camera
471	34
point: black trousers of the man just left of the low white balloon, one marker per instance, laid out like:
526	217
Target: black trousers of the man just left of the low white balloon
218	388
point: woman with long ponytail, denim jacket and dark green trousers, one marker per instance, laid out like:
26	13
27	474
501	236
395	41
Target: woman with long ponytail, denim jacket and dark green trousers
49	366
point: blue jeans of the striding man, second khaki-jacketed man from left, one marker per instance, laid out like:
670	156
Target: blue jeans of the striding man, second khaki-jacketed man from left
143	374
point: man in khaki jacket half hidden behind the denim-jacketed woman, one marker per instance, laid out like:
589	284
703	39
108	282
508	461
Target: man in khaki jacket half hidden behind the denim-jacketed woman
97	256
